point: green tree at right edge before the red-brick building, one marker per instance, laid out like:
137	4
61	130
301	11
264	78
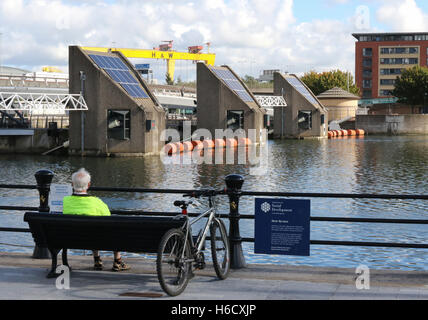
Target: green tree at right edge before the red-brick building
412	86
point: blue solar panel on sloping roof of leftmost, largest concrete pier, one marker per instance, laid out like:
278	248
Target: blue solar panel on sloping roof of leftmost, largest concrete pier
120	73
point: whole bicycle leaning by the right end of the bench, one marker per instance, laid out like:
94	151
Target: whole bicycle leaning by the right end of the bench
179	253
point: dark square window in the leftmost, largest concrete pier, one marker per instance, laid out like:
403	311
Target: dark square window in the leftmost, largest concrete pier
119	124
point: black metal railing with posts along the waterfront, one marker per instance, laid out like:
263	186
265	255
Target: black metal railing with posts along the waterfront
233	191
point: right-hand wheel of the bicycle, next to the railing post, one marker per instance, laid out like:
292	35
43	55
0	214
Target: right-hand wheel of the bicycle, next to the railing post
220	249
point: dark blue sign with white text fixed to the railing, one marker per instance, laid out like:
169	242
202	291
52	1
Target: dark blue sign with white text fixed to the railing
282	226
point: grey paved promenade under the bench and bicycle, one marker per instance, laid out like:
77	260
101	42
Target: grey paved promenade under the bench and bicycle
24	278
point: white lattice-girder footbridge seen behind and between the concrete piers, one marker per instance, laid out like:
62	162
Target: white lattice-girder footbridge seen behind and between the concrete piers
33	101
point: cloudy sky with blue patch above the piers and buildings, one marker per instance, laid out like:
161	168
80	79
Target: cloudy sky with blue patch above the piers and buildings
248	35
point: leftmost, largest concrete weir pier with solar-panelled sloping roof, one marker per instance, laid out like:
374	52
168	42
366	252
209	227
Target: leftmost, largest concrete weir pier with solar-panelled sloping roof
123	118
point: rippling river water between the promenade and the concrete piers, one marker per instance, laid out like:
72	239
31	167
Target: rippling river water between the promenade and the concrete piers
374	164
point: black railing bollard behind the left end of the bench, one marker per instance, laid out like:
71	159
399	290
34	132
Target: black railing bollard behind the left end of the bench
43	178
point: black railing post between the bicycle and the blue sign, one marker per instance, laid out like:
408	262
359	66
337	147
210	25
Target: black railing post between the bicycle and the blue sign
234	184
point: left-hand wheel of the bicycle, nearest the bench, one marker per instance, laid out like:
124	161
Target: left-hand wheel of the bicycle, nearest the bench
173	267
